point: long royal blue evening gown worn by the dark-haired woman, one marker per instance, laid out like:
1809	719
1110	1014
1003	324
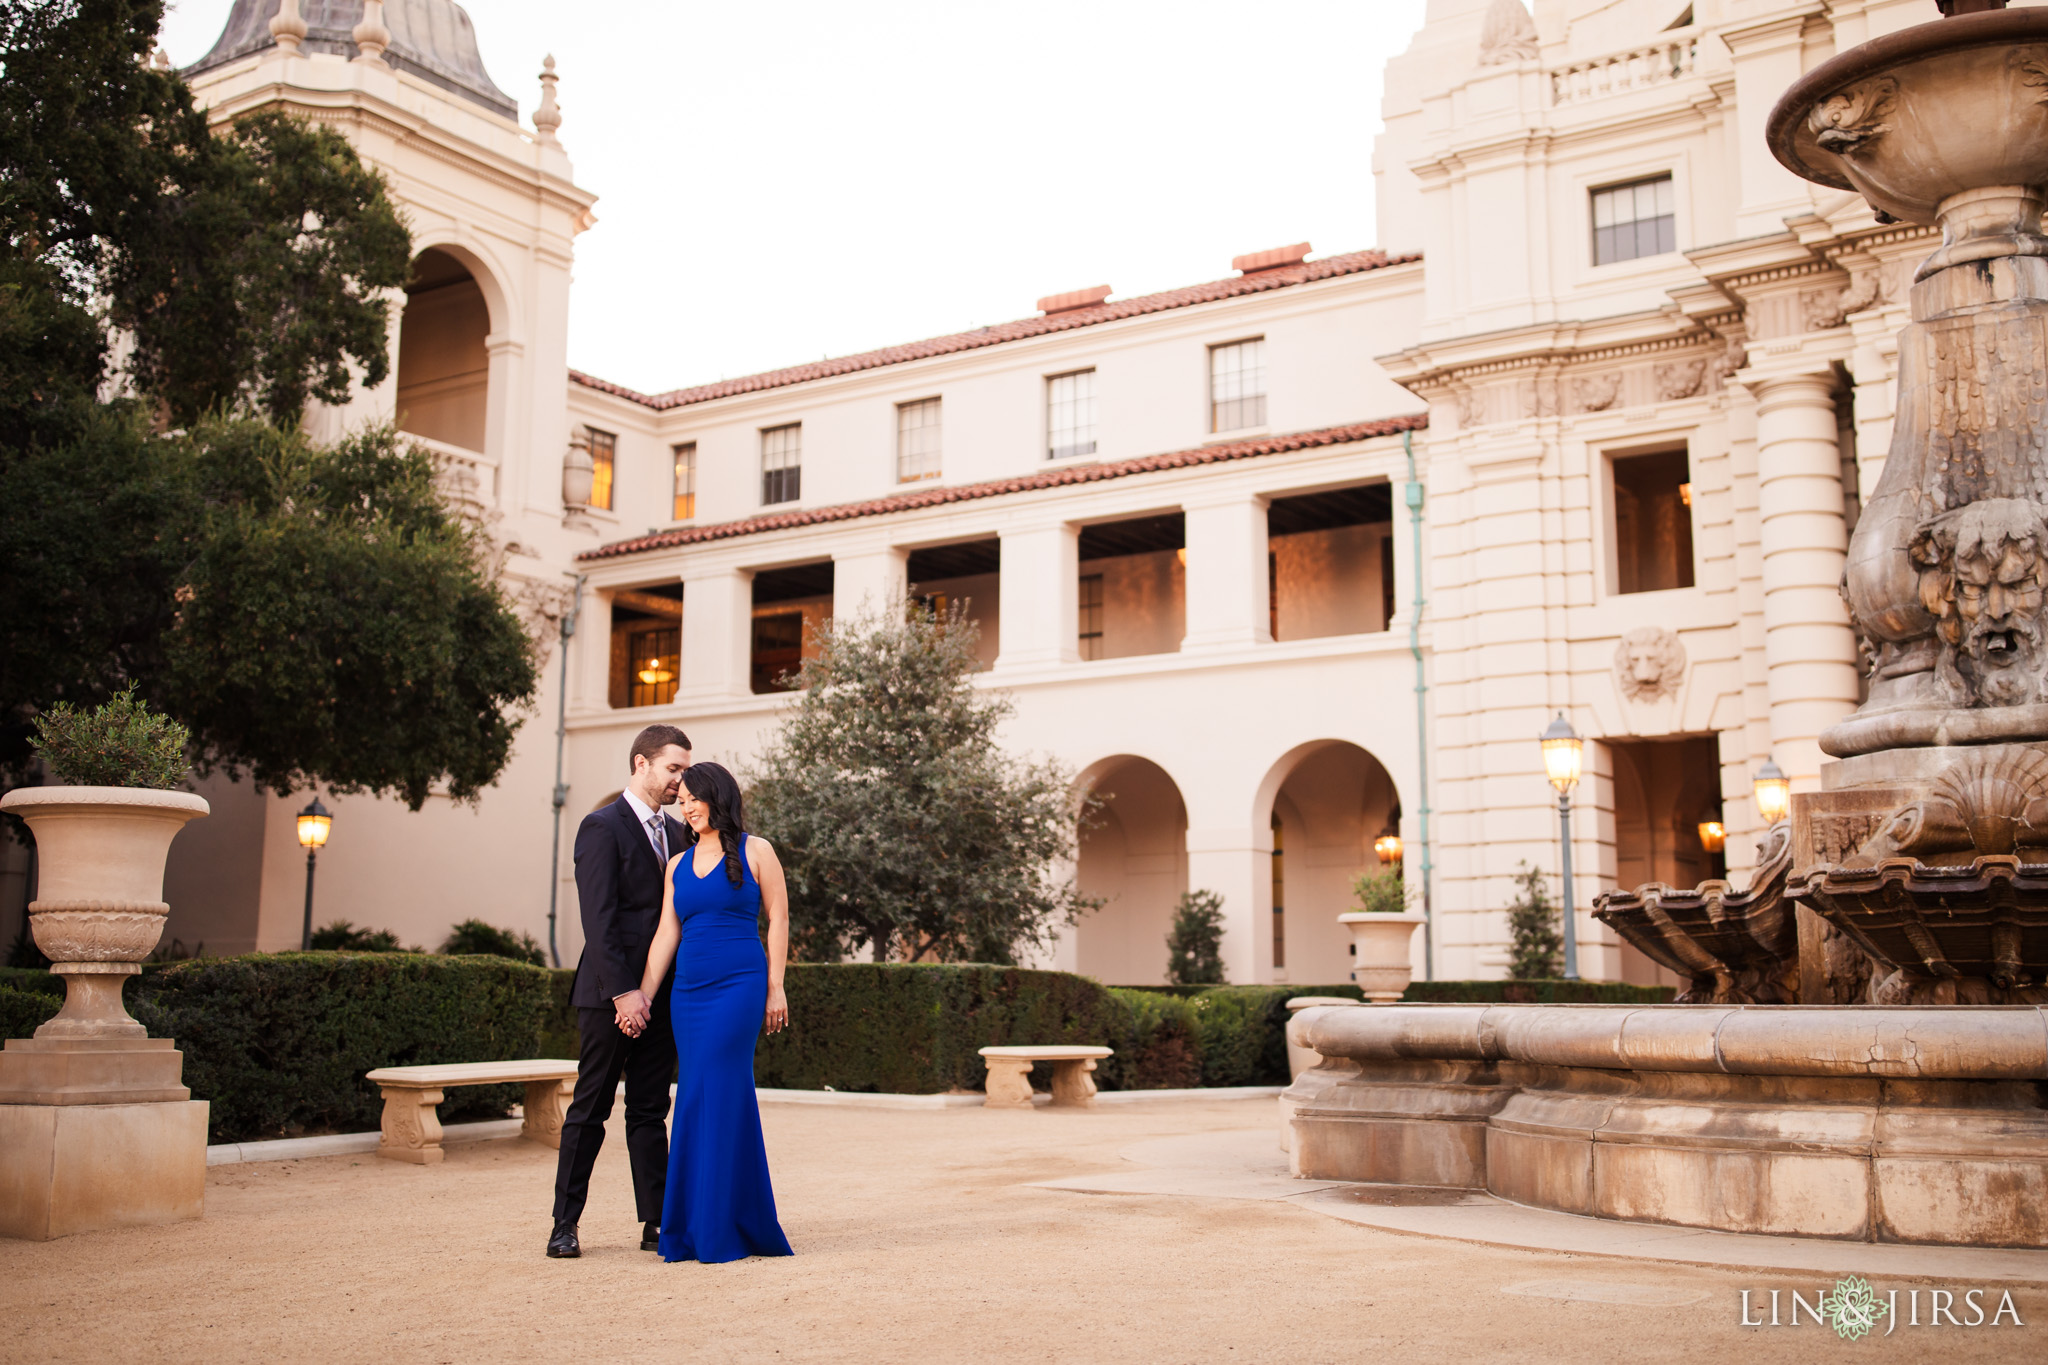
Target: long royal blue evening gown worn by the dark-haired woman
720	1204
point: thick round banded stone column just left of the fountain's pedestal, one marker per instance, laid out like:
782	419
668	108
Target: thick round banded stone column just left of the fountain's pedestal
1809	652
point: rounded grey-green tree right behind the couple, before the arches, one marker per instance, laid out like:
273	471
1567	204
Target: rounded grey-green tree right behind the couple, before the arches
900	820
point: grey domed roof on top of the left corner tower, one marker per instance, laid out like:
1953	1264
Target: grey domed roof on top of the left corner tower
429	38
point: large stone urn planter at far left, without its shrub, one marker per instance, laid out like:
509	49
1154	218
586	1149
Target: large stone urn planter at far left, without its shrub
99	908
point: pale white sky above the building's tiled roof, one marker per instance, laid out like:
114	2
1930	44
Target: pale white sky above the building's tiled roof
781	183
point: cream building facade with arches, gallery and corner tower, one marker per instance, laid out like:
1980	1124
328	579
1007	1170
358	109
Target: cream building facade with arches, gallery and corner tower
1277	564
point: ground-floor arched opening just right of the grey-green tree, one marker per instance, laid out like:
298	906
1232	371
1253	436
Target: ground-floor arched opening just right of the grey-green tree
1136	858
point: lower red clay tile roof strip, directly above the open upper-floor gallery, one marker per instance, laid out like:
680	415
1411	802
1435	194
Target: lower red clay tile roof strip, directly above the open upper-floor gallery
996	488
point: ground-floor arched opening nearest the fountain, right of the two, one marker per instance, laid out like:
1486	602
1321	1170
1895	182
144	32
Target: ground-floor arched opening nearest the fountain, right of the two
1332	801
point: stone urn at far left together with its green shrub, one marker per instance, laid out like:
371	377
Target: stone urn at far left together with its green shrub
101	842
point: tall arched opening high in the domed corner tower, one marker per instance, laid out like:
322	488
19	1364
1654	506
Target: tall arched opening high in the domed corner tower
443	365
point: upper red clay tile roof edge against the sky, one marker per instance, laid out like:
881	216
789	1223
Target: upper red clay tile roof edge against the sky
1306	273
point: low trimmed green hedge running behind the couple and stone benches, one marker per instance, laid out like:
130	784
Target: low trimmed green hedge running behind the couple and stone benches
280	1043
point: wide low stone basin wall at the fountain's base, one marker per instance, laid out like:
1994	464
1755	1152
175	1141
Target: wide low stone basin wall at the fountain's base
1844	1122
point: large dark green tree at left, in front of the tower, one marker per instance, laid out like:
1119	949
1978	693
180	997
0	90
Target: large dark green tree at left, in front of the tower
314	615
